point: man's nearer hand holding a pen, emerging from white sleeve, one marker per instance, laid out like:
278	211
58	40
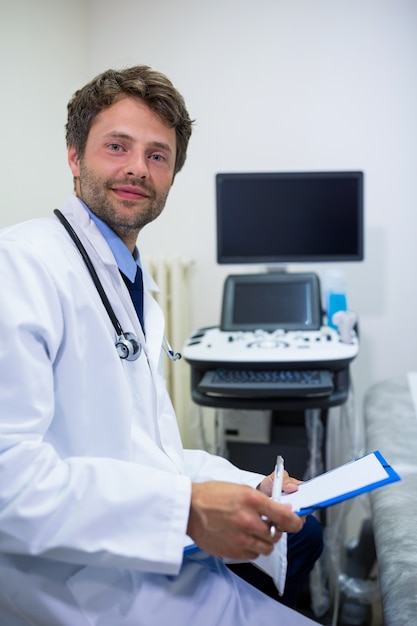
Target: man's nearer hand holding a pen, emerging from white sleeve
233	521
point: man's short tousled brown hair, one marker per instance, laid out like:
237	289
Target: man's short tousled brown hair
155	89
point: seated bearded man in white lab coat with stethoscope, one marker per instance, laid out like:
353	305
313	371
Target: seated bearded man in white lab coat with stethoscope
104	518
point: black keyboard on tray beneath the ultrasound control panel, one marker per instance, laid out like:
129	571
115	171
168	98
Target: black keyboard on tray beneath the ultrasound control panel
266	383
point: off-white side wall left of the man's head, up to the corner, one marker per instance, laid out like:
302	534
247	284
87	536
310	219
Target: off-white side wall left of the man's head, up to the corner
43	59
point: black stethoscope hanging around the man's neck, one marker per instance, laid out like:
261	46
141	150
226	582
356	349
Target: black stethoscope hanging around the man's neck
128	345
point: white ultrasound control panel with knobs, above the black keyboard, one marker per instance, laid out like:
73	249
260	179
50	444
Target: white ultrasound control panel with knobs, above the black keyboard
322	348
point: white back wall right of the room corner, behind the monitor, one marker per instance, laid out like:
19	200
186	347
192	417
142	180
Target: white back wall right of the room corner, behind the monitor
278	85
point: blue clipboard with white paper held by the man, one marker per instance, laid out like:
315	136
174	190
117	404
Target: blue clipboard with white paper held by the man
347	481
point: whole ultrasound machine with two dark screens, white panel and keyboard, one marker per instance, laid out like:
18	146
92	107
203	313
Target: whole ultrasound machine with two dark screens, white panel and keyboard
274	349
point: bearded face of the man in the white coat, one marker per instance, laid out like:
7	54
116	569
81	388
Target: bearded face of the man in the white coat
128	167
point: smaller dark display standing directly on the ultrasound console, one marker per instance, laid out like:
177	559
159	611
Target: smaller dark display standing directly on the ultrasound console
266	302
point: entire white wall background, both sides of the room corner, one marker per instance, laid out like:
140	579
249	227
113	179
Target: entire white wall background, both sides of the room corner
274	85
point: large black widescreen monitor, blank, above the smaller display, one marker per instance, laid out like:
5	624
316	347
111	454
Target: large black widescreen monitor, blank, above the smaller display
289	217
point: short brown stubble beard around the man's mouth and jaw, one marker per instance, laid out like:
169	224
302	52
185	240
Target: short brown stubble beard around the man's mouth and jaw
125	217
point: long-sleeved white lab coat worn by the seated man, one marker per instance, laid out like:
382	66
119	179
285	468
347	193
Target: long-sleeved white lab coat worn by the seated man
94	483
